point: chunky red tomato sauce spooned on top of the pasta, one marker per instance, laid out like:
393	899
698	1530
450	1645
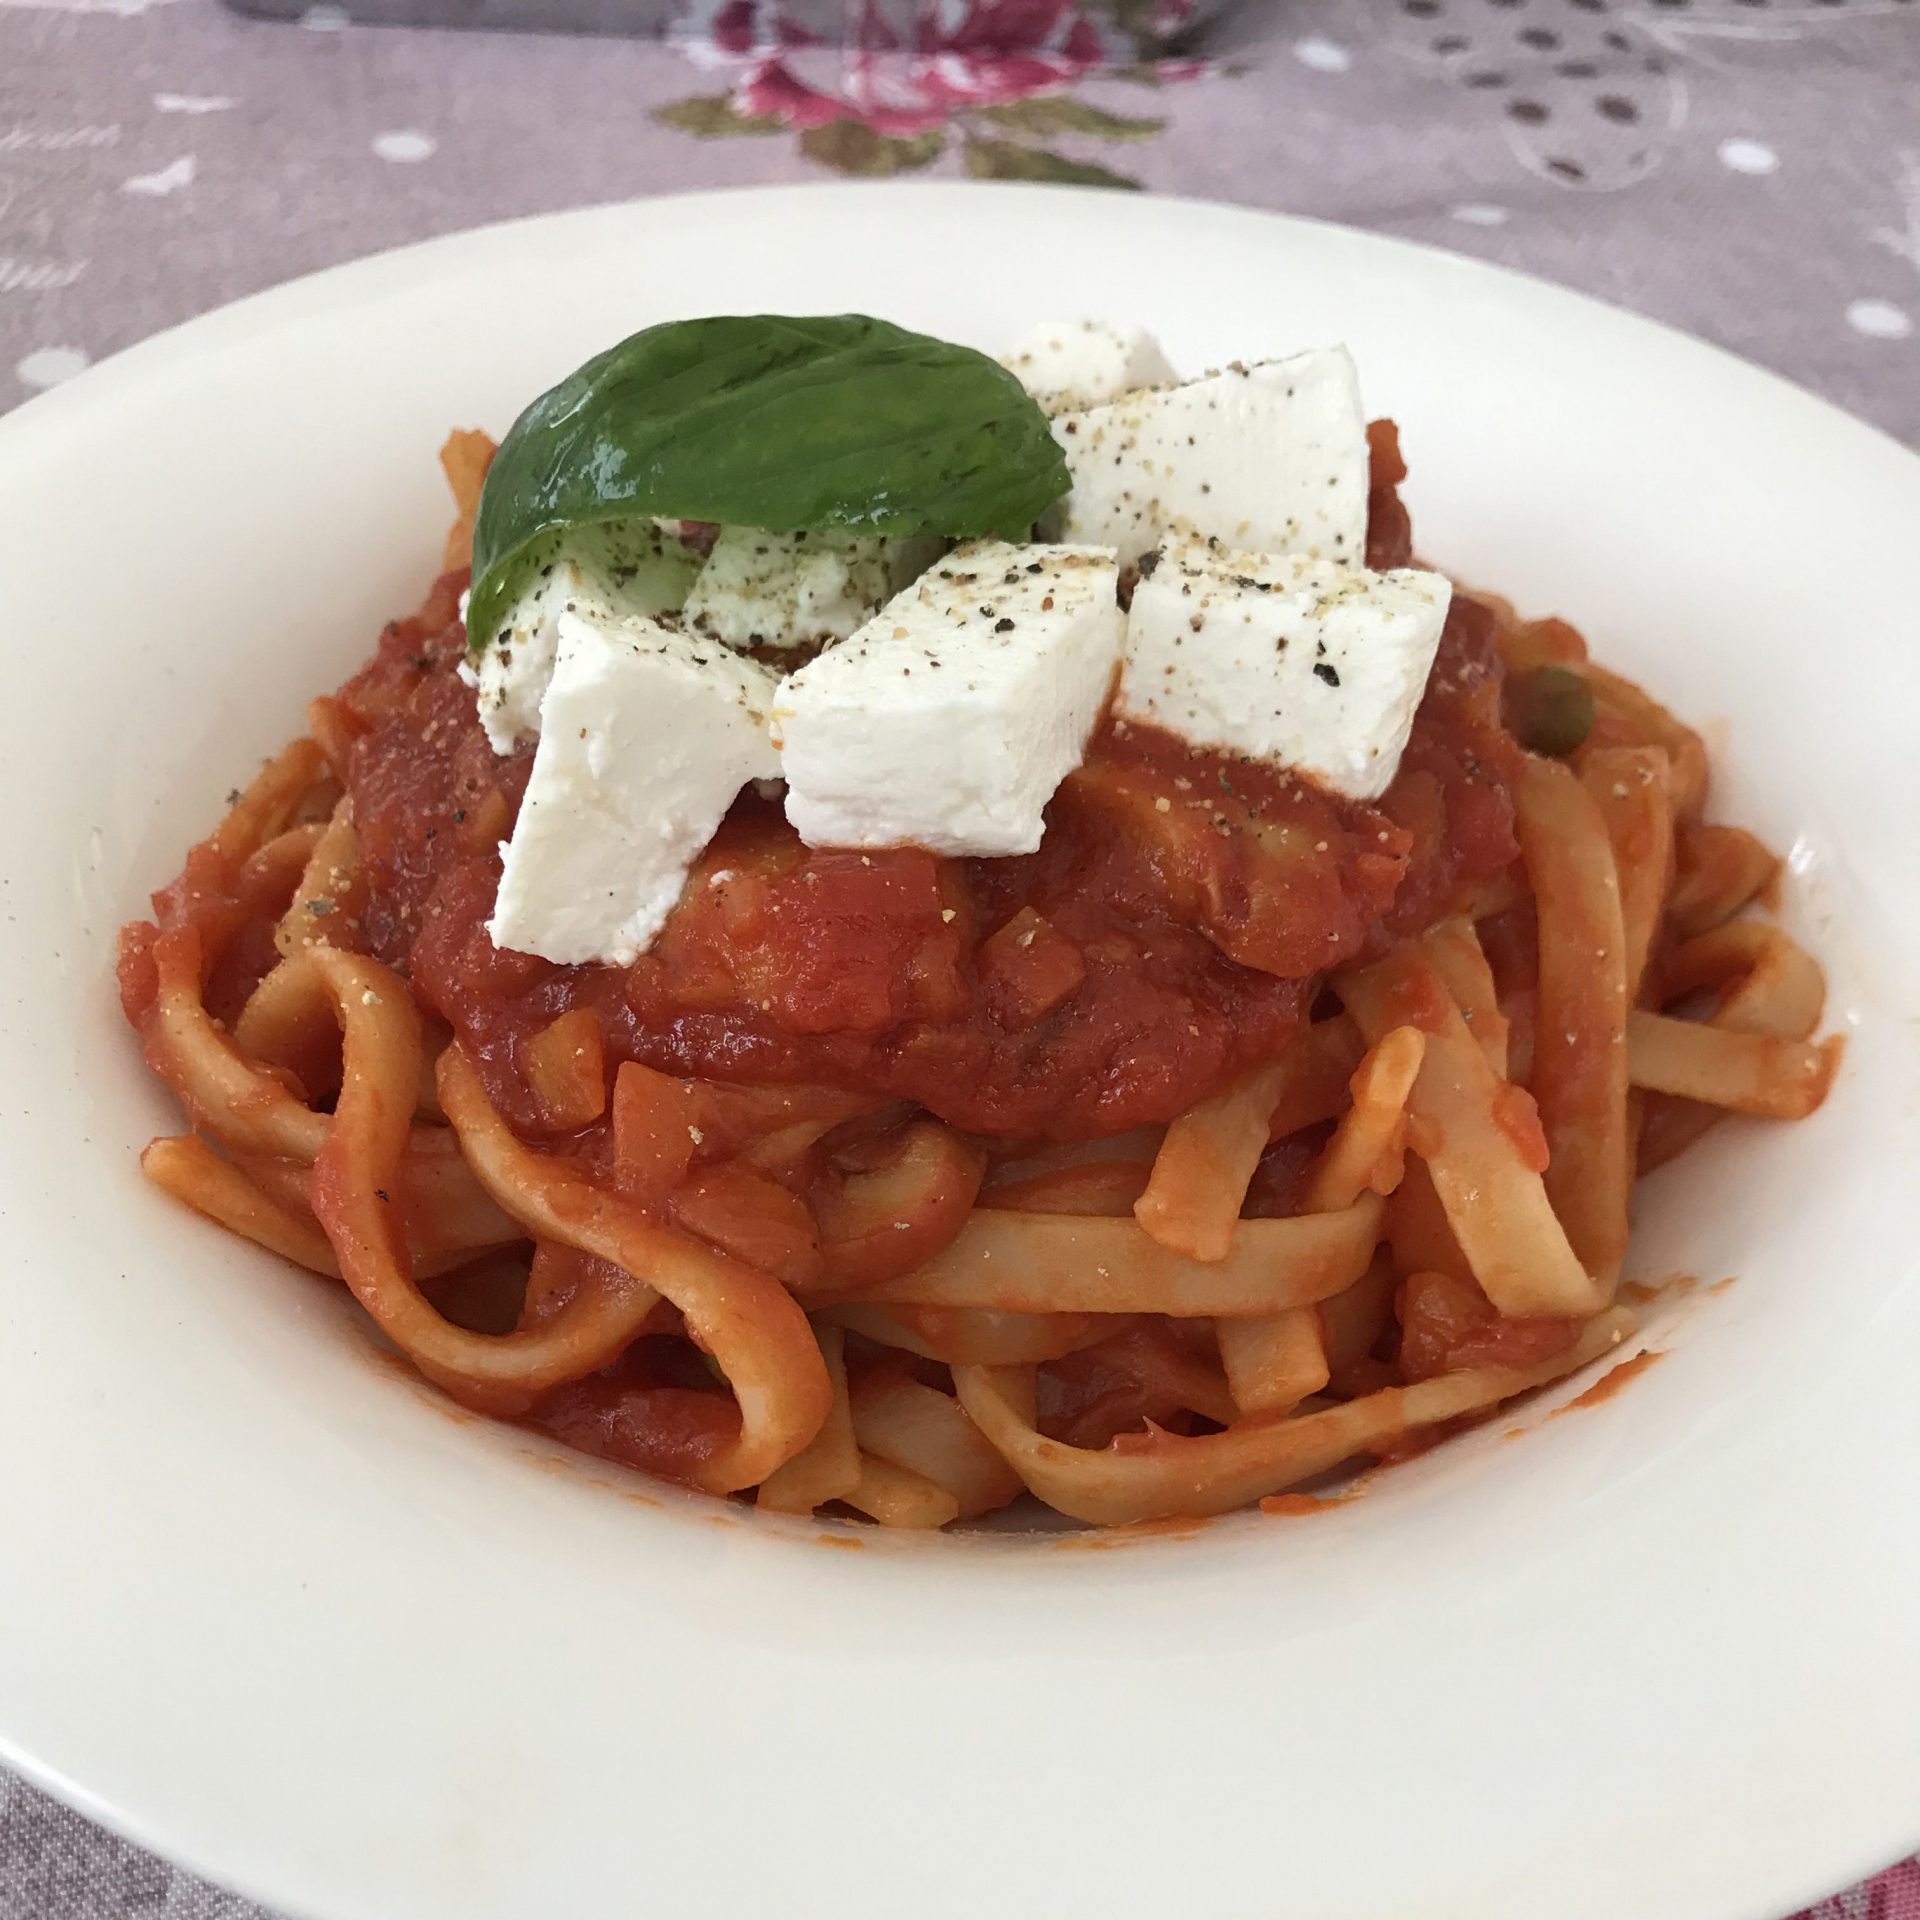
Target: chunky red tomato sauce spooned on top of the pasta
1180	911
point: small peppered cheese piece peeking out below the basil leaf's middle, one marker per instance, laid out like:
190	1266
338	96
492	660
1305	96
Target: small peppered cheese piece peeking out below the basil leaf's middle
798	590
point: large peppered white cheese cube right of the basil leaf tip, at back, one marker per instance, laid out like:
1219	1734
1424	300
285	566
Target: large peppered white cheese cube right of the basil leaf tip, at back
1268	458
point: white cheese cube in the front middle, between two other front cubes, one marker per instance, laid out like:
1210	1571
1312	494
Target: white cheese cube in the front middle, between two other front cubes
951	717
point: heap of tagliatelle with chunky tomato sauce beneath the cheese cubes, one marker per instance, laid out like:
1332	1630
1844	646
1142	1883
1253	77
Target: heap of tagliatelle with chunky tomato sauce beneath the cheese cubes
1036	1201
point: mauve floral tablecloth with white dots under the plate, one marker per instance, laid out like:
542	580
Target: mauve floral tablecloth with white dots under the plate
1748	170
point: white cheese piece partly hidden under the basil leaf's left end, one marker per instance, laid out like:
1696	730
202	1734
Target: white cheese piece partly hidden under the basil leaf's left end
638	567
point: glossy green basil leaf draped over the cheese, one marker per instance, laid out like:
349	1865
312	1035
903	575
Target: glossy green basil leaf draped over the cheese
792	425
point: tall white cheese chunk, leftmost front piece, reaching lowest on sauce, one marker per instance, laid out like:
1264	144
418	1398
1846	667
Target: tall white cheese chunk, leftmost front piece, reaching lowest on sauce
646	738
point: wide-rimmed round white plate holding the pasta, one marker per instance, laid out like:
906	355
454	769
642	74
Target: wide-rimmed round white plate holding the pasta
272	1610
